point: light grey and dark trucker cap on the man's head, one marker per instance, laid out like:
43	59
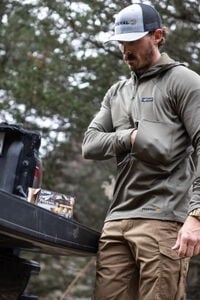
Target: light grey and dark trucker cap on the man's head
134	22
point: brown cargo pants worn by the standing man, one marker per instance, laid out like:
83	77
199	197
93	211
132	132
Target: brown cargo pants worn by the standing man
135	262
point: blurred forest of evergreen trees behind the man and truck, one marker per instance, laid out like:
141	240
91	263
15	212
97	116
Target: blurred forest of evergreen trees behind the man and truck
55	70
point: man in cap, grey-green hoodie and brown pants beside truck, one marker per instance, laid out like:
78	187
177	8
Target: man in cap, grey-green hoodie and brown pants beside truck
151	124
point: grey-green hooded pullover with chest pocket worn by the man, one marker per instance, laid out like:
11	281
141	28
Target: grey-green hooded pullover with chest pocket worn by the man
159	176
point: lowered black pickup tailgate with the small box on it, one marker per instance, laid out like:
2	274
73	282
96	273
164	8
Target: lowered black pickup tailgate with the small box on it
27	226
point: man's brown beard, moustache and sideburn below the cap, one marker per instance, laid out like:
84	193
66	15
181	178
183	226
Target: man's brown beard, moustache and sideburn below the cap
140	62
